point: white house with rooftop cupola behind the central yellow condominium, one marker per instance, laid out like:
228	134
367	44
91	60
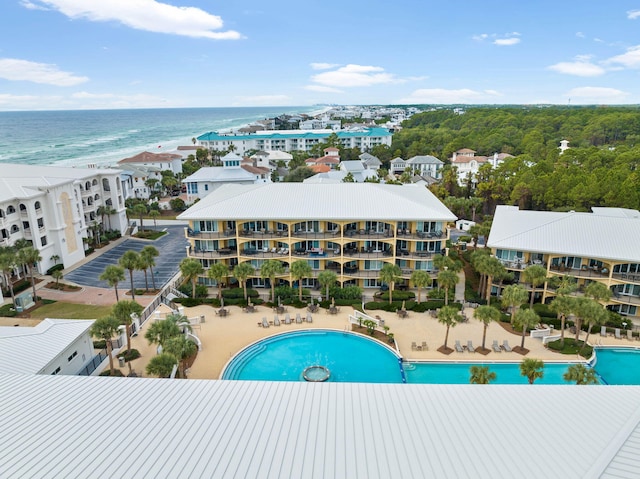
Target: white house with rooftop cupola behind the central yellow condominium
232	171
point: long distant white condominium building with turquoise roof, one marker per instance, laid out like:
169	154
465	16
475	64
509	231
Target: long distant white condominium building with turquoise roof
294	140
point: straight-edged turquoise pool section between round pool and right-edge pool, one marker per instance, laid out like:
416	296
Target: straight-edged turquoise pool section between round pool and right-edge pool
459	373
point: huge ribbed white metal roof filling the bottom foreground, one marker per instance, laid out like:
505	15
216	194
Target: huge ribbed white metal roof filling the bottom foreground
223	429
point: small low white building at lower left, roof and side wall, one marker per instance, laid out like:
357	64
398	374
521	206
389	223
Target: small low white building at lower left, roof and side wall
55	346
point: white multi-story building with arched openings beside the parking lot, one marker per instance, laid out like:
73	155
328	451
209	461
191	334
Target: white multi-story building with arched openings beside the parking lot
55	208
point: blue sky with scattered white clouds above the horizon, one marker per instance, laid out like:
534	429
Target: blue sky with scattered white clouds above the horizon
86	54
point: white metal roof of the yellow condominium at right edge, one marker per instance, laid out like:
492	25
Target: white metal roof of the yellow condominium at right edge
602	234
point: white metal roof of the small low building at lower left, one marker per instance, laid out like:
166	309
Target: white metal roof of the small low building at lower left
30	349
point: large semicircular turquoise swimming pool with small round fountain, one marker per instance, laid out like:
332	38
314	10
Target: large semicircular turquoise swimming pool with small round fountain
347	356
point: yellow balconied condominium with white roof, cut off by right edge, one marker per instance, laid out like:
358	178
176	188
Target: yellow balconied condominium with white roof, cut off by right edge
600	246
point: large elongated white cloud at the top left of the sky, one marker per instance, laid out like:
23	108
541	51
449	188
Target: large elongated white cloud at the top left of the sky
148	15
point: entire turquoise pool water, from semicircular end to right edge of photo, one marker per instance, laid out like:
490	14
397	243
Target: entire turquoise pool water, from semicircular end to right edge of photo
350	357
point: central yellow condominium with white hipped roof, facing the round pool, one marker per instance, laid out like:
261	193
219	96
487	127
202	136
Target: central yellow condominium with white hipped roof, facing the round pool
351	229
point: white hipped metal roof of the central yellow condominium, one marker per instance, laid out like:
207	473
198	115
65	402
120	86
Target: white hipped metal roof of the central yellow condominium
343	201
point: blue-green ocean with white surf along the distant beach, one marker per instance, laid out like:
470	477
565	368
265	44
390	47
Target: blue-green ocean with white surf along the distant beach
103	137
